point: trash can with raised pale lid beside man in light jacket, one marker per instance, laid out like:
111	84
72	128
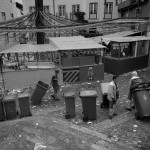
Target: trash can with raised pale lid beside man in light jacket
105	101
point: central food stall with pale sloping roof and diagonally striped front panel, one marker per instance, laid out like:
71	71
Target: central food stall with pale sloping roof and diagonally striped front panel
80	58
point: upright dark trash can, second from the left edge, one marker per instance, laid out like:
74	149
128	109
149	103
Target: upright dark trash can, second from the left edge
10	107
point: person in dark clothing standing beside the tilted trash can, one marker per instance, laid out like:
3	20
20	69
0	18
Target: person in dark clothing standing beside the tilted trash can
55	85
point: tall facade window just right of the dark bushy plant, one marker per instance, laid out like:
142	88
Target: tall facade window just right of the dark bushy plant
93	10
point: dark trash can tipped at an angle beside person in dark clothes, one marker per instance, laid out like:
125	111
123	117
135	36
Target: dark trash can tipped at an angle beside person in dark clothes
38	93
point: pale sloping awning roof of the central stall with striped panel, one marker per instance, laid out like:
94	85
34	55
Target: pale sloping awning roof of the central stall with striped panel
74	43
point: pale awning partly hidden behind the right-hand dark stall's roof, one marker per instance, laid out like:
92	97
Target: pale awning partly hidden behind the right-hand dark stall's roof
98	39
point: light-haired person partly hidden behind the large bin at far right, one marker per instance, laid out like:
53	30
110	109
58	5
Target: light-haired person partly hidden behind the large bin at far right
131	104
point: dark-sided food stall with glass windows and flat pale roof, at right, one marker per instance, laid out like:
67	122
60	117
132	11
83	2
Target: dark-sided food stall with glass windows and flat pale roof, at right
126	54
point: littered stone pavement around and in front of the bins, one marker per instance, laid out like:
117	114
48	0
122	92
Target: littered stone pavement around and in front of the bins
47	128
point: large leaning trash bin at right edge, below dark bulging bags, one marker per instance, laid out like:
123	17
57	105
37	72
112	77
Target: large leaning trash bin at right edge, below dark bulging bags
141	99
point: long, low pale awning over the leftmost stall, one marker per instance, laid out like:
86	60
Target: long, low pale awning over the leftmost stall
28	48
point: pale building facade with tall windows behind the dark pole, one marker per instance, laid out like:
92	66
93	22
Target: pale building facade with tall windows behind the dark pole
95	10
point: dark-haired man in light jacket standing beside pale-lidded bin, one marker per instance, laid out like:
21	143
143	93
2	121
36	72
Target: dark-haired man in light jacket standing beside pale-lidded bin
112	96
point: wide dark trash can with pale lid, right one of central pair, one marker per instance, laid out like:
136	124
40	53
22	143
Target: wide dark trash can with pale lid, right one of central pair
88	104
